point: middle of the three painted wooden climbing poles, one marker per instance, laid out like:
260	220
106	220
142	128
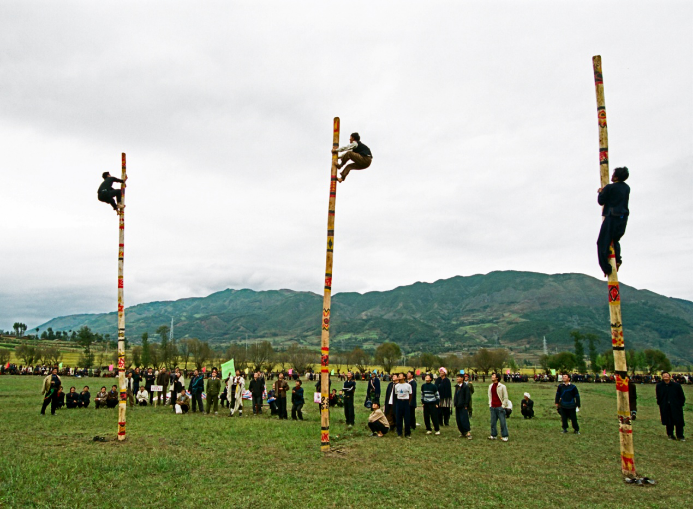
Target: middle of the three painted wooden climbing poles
326	304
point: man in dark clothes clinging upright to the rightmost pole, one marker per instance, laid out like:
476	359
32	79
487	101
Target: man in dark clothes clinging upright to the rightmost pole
614	198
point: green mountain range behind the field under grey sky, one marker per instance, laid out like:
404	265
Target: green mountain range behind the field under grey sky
508	309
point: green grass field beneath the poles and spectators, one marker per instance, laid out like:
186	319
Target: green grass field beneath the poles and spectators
191	460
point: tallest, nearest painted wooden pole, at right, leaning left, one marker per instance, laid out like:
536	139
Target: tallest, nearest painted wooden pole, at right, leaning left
617	342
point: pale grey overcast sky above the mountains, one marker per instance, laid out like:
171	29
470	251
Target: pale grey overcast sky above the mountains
481	117
